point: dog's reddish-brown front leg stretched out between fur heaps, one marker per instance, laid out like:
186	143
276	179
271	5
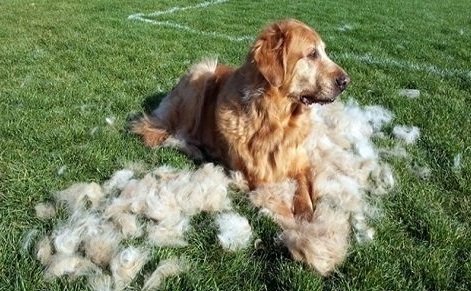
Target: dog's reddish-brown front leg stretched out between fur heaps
304	197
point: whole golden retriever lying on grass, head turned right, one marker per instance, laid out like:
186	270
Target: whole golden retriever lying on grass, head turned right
254	118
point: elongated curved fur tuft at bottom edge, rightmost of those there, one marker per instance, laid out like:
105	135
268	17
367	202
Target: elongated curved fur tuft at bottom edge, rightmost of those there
165	269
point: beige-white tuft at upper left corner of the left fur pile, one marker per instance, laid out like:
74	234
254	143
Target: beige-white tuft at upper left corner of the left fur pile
76	195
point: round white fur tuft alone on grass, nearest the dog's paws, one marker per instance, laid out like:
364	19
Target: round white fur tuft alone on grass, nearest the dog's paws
234	231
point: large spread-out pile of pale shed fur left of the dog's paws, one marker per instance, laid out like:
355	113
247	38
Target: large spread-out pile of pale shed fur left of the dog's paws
165	198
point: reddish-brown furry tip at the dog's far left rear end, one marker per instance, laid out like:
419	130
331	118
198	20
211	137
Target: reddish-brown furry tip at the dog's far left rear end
150	130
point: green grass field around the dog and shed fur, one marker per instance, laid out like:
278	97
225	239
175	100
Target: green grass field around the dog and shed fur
66	66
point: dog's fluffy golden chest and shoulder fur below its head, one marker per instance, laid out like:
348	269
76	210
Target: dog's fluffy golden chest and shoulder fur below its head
264	136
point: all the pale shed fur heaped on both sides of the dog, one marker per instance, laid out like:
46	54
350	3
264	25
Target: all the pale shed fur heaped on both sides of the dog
349	179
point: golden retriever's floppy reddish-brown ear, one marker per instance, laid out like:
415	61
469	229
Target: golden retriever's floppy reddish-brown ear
269	54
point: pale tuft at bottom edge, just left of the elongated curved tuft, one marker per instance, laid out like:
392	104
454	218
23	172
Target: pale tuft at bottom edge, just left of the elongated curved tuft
126	264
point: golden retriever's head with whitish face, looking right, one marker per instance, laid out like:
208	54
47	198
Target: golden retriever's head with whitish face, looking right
291	57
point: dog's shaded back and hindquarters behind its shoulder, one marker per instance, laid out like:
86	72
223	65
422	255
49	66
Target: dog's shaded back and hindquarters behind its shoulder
188	111
